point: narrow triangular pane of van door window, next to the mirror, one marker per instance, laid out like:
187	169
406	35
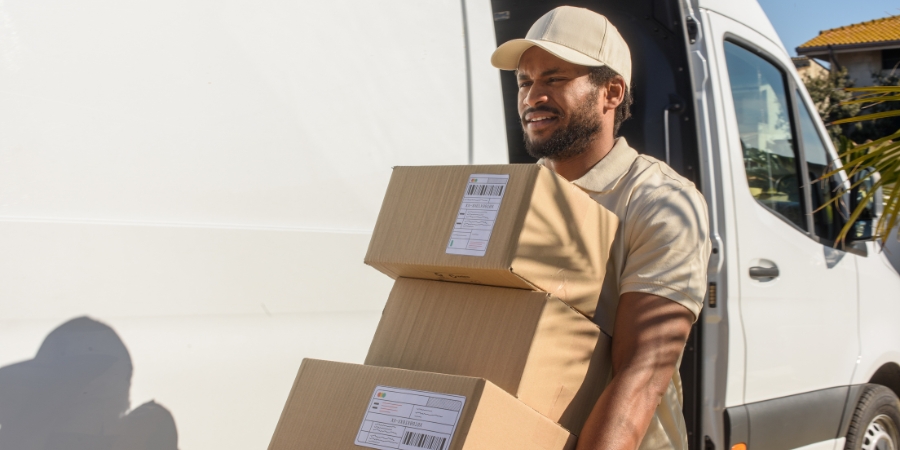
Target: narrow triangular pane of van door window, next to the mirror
827	222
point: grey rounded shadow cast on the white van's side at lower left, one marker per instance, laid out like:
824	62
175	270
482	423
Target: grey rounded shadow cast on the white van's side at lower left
74	395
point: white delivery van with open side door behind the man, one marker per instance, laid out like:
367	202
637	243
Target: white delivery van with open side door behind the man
187	191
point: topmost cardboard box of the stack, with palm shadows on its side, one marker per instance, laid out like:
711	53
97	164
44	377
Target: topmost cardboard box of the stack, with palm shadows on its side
518	226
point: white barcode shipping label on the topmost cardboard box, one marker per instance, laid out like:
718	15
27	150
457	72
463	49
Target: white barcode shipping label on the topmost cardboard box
477	214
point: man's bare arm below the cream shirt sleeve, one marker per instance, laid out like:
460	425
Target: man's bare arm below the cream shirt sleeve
649	337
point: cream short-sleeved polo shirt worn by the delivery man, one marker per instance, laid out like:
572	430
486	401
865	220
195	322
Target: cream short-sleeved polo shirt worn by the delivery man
661	247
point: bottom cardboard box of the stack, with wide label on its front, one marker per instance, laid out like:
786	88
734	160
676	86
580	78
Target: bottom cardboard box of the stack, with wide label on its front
338	406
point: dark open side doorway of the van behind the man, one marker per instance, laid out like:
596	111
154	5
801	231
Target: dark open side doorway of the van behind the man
662	113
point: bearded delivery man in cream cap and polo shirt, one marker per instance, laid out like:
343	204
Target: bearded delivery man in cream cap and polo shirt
574	71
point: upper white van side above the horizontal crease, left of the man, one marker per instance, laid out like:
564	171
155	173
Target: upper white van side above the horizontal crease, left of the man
252	113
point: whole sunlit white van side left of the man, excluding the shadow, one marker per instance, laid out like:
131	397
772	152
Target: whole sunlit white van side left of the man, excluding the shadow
202	178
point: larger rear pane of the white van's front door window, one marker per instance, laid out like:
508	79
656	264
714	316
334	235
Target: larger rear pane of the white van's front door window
763	114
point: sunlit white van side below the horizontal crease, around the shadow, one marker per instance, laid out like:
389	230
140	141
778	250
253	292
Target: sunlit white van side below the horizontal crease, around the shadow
215	320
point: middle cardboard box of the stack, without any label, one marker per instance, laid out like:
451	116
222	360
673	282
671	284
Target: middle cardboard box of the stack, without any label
528	343
